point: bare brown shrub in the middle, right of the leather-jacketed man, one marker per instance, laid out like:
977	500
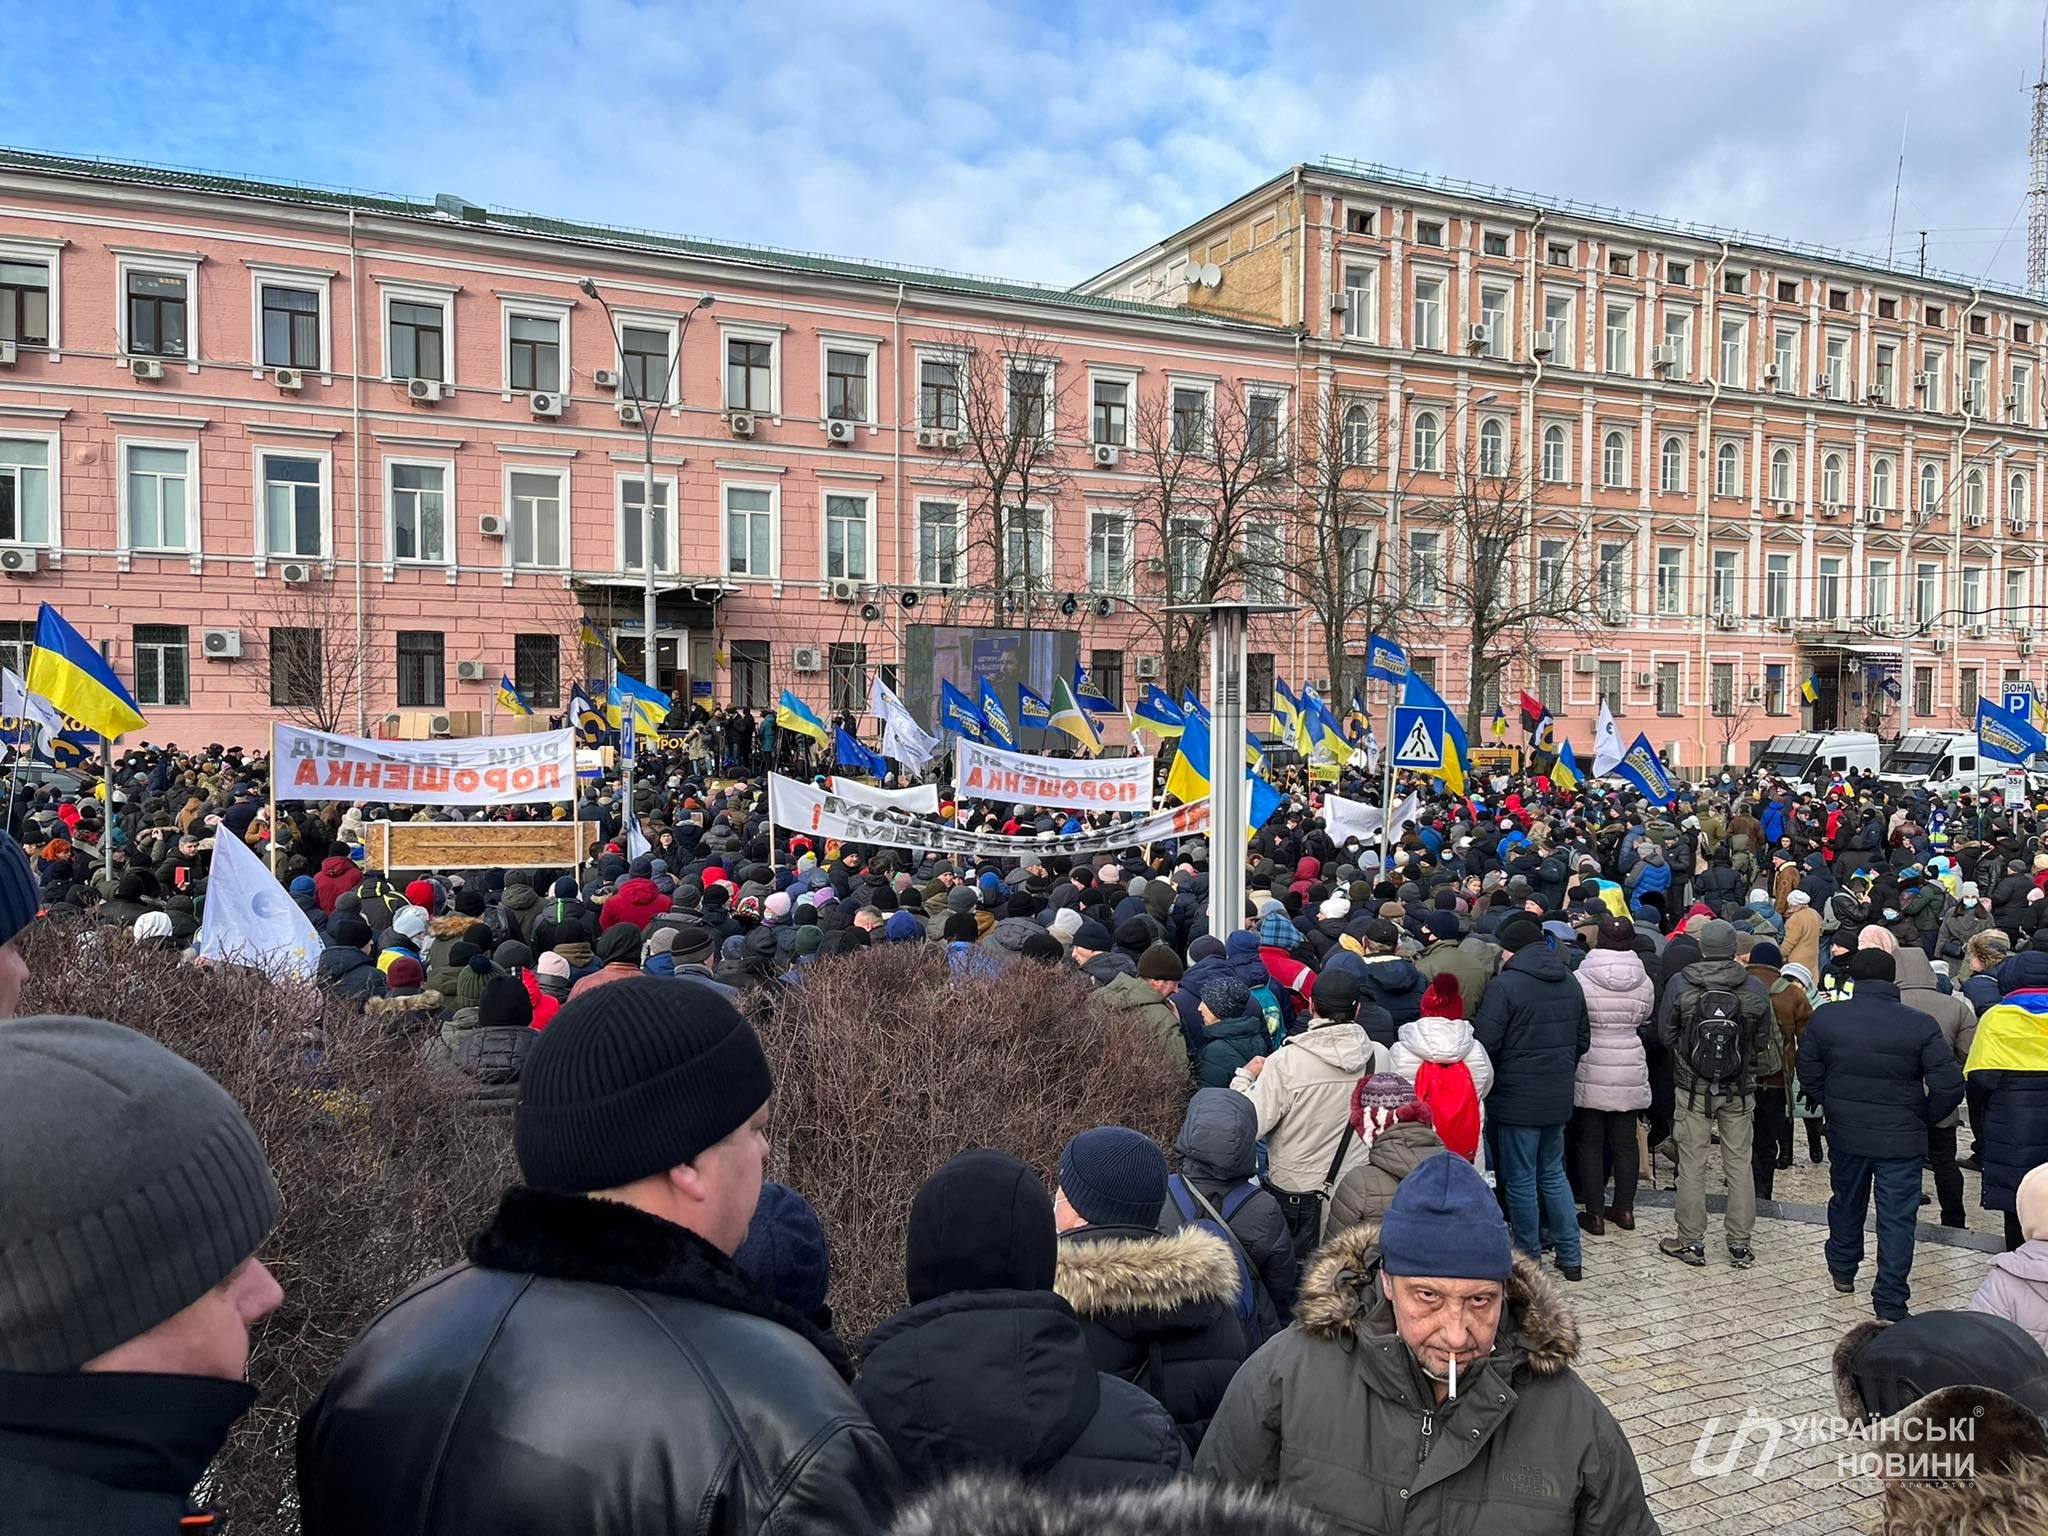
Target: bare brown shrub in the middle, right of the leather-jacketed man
888	1066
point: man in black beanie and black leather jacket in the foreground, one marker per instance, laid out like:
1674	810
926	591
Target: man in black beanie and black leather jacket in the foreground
601	1365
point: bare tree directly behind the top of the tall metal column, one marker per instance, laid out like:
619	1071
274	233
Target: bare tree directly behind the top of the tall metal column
1209	521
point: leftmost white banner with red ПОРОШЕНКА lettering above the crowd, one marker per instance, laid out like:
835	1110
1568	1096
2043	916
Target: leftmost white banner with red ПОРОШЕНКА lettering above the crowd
464	771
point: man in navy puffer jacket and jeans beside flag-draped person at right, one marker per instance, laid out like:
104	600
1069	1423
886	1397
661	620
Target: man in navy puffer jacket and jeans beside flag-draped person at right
1883	1074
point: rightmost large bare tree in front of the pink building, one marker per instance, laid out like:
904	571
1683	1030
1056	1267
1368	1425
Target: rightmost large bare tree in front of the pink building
1484	572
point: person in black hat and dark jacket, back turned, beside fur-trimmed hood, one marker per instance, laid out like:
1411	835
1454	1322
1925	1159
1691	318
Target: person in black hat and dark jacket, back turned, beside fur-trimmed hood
988	1371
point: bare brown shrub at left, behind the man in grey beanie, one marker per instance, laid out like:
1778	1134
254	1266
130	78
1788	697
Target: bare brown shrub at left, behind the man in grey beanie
384	1175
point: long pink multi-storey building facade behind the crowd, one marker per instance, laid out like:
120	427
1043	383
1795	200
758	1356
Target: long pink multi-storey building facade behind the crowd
253	433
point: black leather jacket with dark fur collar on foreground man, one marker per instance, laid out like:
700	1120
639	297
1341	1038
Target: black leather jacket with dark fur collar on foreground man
591	1371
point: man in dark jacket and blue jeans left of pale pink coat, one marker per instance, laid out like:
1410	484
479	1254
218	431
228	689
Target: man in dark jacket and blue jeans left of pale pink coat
1535	1029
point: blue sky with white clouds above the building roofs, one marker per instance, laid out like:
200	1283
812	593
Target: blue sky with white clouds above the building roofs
1052	140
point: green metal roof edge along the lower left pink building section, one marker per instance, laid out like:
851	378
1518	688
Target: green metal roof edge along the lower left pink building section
605	234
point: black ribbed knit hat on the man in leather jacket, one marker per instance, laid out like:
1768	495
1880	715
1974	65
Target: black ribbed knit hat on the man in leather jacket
632	1080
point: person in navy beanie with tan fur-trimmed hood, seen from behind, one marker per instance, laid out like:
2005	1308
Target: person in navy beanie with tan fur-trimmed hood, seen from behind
1158	1312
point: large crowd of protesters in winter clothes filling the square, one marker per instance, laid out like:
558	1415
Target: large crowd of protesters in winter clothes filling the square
1422	1095
